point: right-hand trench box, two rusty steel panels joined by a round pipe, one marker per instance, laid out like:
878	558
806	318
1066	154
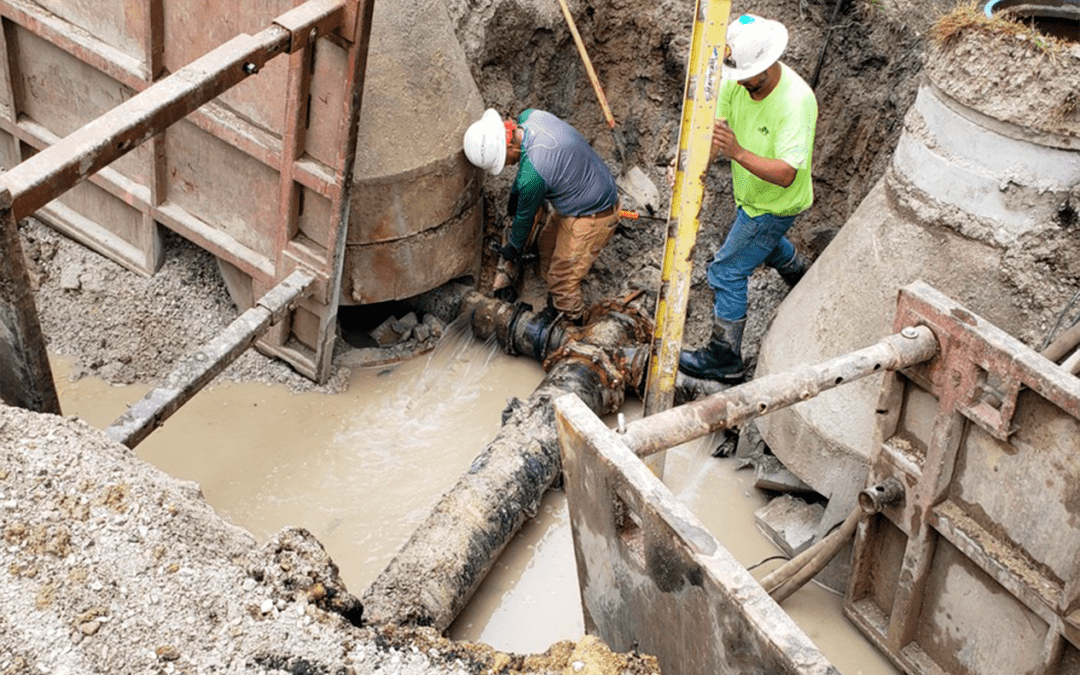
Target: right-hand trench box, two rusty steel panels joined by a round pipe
975	572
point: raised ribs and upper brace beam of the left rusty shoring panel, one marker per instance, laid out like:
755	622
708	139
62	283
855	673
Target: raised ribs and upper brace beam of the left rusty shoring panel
59	165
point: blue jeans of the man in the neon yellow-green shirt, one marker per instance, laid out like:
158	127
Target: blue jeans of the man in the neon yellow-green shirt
750	244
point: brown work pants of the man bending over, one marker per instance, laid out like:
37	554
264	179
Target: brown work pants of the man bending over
569	247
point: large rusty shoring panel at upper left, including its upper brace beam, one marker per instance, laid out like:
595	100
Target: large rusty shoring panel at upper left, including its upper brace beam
92	123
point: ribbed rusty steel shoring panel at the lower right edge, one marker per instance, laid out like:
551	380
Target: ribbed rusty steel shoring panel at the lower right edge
978	386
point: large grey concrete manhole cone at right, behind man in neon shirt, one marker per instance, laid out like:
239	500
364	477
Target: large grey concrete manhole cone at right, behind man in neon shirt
981	202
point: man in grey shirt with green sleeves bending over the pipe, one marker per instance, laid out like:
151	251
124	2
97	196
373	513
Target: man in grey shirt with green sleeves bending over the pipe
556	165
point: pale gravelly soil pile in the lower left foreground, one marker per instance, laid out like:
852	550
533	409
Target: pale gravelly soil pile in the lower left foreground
111	566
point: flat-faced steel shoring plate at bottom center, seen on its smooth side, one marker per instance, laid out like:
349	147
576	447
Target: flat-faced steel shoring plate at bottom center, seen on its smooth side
654	579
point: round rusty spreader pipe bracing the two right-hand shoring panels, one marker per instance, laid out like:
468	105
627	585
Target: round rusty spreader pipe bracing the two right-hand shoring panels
742	403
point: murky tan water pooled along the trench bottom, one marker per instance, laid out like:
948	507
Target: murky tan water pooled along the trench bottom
361	471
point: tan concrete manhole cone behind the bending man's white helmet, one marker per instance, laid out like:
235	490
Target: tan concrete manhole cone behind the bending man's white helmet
416	213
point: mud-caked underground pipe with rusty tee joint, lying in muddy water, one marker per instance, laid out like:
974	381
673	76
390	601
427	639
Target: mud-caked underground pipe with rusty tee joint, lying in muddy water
437	572
